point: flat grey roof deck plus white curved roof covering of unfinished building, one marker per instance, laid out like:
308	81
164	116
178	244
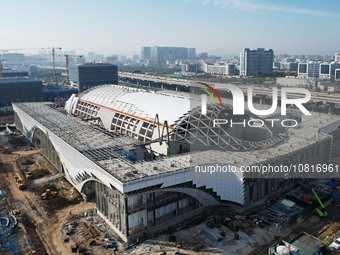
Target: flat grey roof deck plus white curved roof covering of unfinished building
104	148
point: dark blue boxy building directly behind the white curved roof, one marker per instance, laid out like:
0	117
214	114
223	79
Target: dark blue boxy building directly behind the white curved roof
93	74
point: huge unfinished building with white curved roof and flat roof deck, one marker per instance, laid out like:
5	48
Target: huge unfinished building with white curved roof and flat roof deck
141	155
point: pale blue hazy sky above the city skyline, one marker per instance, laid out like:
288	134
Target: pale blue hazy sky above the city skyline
214	26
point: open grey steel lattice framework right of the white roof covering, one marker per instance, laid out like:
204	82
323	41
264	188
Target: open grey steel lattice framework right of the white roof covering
198	130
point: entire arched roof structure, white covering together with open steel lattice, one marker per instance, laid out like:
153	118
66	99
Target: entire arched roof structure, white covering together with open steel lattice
133	112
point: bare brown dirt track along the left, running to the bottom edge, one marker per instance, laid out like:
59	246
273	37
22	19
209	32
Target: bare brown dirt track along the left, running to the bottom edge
48	225
